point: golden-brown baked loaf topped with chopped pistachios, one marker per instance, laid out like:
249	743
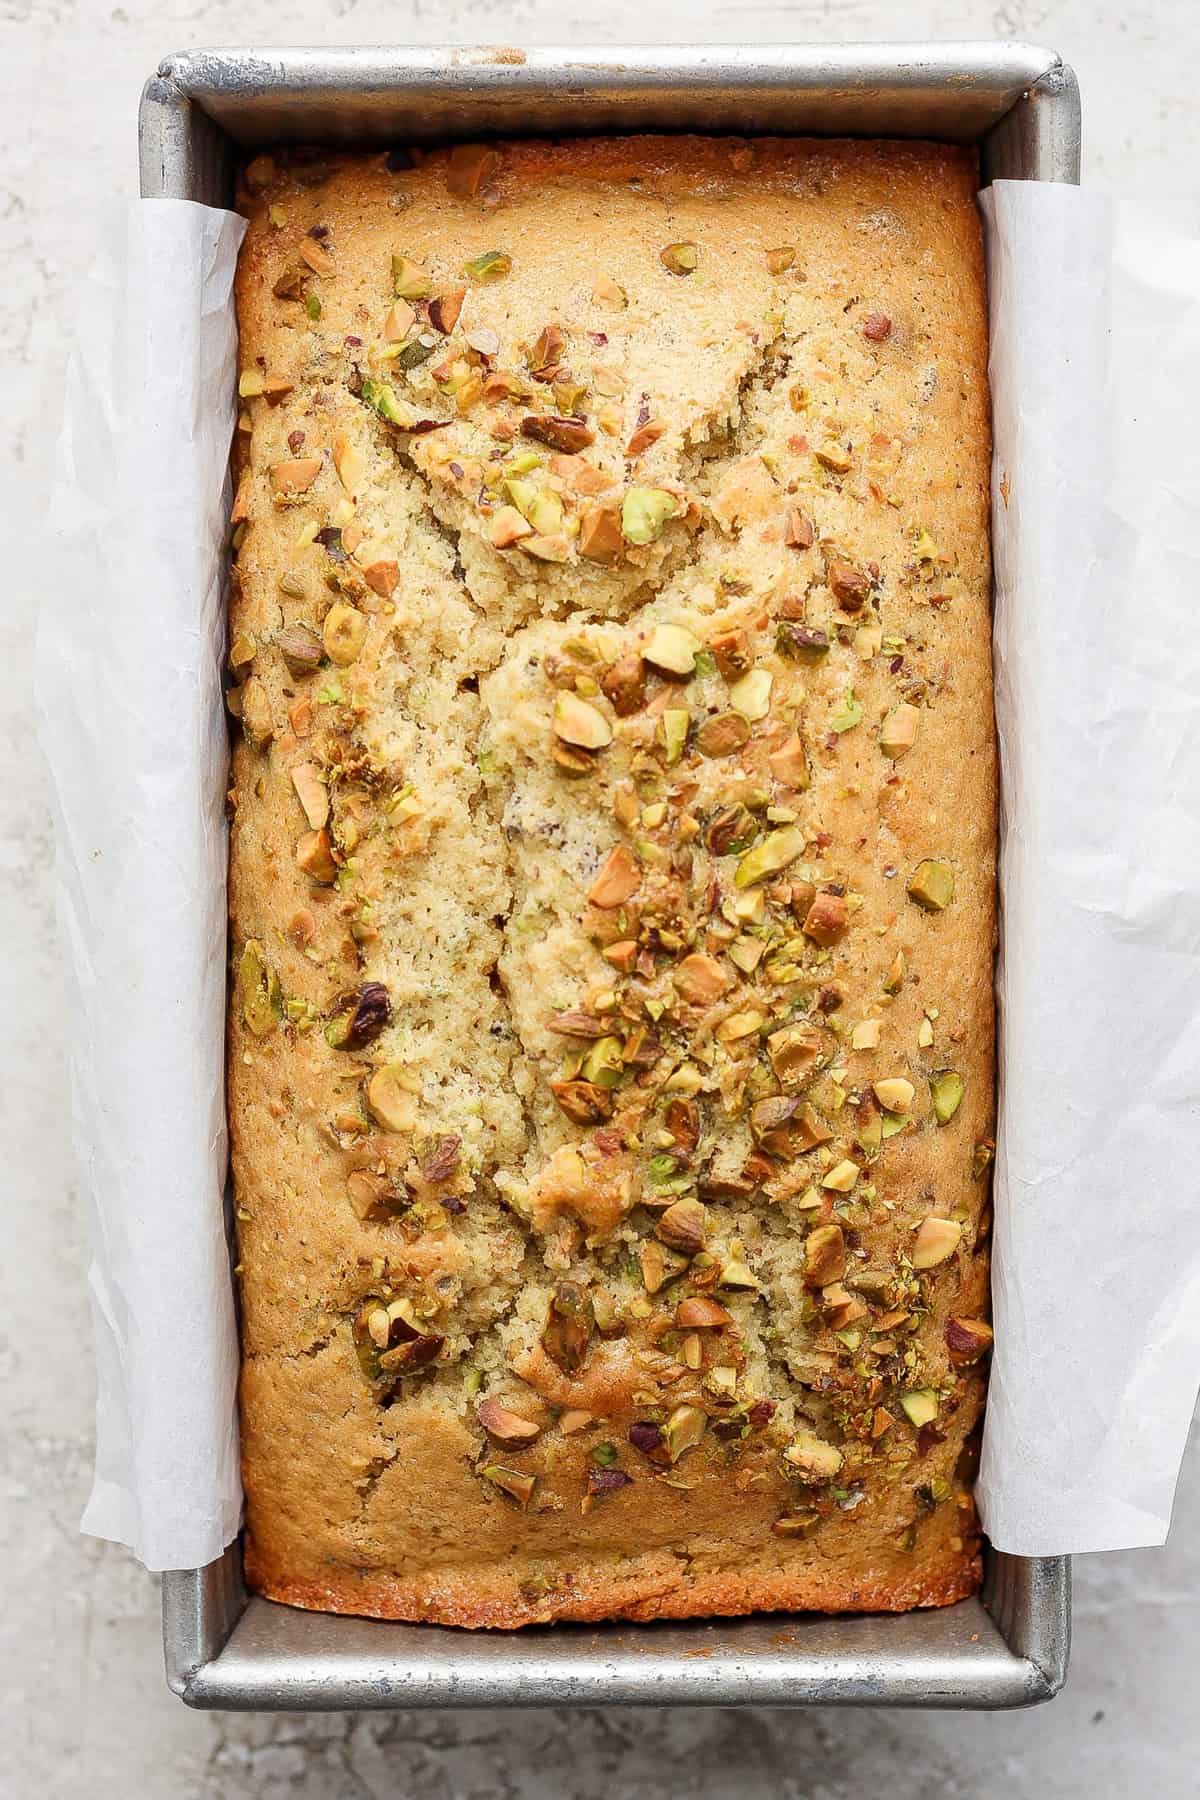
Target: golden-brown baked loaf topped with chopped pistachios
613	879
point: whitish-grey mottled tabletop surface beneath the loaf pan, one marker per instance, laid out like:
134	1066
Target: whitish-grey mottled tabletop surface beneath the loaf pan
82	1695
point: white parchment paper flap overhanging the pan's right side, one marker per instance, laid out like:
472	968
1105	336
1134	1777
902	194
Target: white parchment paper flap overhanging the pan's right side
1097	532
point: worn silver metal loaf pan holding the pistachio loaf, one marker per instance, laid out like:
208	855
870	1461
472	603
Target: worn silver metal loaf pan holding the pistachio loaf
199	116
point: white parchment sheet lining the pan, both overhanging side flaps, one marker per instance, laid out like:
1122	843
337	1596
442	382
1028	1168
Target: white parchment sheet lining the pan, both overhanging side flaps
1098	694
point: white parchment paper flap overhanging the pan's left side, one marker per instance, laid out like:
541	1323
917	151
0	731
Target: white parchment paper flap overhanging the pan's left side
130	645
